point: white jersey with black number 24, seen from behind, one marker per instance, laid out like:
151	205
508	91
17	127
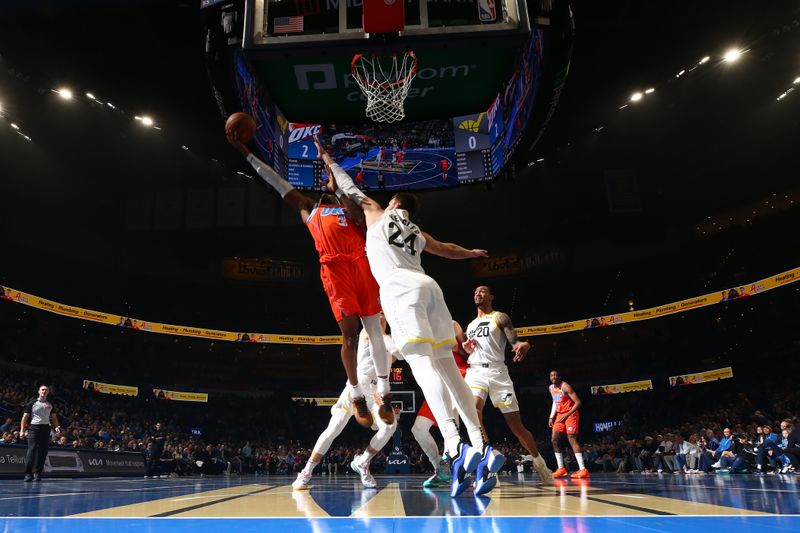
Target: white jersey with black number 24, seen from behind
394	242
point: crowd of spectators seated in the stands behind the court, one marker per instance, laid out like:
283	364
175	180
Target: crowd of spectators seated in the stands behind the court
736	438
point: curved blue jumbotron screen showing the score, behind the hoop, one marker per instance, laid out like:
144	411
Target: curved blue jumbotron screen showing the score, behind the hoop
431	154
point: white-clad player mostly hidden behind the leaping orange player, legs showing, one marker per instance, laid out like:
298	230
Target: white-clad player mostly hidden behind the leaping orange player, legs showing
343	411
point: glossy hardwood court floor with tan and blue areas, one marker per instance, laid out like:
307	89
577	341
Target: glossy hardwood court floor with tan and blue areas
339	503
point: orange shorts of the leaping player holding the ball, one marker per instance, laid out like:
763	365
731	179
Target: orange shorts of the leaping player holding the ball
351	289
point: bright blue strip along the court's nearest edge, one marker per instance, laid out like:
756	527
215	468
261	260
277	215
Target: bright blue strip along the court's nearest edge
775	524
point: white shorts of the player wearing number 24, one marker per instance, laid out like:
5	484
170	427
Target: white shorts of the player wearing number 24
418	315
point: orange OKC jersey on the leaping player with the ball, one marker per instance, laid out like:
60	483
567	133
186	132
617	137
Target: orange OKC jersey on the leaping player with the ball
336	235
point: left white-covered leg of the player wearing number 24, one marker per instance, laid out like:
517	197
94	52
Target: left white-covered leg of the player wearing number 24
438	398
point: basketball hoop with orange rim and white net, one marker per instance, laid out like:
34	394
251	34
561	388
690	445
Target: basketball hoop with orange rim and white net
385	88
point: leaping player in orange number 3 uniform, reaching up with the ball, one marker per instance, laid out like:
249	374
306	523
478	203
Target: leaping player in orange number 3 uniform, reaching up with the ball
352	290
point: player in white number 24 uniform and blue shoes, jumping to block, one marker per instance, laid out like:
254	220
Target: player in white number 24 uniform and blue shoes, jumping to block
422	328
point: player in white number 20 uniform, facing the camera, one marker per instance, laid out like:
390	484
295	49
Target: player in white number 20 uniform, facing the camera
487	338
